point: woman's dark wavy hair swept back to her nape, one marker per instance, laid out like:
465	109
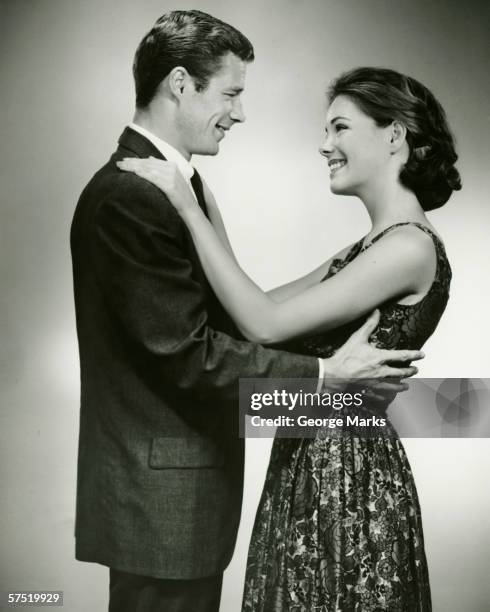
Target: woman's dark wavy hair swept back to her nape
385	96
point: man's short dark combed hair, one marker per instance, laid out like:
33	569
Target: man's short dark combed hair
191	39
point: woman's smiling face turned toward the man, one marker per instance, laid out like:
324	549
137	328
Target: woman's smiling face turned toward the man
358	150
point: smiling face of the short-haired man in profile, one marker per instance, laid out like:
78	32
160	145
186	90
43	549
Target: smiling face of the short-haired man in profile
204	116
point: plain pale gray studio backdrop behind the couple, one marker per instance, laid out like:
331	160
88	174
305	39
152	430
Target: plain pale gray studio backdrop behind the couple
66	91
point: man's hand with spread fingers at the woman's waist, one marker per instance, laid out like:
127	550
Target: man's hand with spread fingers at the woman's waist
357	359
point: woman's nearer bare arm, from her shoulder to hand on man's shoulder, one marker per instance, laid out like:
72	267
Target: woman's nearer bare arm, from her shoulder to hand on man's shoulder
395	267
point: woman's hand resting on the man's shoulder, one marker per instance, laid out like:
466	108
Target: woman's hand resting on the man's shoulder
167	177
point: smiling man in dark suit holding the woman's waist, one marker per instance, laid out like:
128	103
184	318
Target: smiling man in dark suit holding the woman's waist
160	469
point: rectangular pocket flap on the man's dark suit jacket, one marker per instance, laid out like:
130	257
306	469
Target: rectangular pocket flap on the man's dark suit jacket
184	453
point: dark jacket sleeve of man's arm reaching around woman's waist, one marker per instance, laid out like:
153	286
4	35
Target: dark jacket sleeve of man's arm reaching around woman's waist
140	250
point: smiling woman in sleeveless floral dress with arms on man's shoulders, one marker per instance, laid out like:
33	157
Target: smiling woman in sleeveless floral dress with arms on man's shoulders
339	524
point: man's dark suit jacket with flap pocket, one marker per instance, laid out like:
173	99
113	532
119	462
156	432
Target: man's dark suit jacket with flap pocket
160	468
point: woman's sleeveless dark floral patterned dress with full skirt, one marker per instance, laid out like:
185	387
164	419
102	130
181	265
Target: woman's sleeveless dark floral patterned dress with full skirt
338	528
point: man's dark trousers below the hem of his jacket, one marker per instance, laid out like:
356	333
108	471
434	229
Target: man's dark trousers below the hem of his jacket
132	593
